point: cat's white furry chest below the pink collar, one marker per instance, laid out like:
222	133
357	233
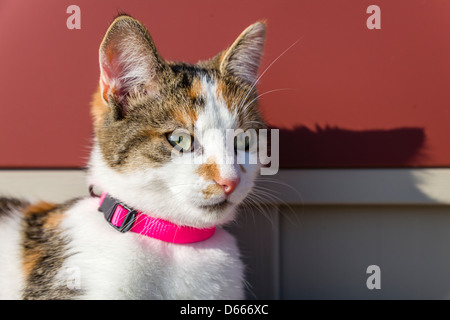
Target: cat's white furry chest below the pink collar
113	265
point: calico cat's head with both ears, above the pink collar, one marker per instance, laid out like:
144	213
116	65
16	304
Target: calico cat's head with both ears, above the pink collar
162	129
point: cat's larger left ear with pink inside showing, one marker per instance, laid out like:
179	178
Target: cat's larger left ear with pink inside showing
128	60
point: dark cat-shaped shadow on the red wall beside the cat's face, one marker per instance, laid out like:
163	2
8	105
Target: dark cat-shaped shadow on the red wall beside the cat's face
341	148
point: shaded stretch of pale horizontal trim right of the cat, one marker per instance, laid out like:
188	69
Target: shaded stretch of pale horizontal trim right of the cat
363	186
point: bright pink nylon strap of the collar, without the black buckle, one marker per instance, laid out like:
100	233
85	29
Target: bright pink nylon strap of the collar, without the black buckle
159	229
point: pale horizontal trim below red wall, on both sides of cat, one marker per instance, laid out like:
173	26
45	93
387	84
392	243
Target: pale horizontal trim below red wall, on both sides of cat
293	187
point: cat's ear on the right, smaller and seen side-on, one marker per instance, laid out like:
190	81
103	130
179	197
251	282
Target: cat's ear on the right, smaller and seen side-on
243	58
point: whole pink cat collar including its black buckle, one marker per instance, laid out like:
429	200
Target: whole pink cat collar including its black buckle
124	219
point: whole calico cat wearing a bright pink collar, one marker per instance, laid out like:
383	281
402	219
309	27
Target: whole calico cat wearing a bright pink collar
155	232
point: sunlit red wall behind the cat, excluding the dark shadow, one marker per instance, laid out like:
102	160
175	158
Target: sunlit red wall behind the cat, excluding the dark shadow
356	98
